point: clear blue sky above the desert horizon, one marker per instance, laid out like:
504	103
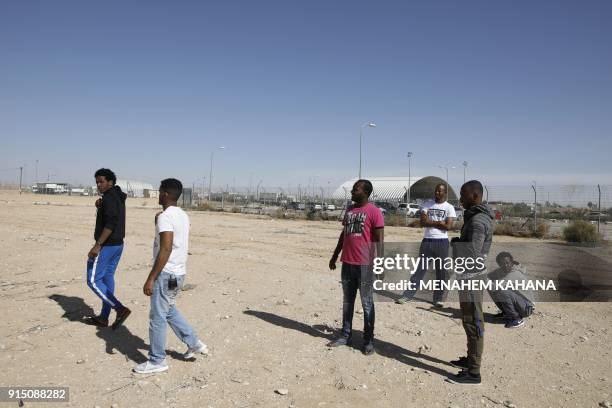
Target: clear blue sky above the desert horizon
521	90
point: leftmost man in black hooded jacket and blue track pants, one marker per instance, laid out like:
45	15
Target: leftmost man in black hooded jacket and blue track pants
104	256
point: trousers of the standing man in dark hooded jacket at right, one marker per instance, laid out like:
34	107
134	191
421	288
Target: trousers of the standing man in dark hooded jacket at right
470	303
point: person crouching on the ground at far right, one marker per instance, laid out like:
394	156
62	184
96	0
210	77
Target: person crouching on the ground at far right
515	305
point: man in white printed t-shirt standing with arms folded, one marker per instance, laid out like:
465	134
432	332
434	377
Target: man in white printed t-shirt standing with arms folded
437	218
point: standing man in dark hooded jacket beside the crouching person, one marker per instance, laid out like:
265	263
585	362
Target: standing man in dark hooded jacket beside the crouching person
474	243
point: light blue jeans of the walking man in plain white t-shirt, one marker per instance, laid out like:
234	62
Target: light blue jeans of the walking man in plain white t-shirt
163	310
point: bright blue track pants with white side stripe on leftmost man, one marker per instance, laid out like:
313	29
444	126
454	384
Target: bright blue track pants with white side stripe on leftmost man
101	277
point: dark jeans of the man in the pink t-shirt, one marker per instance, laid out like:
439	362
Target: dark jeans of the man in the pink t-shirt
358	277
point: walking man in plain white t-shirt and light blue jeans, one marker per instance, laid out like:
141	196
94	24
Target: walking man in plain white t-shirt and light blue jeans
166	279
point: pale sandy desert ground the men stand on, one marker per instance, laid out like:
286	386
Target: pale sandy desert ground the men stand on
266	304
